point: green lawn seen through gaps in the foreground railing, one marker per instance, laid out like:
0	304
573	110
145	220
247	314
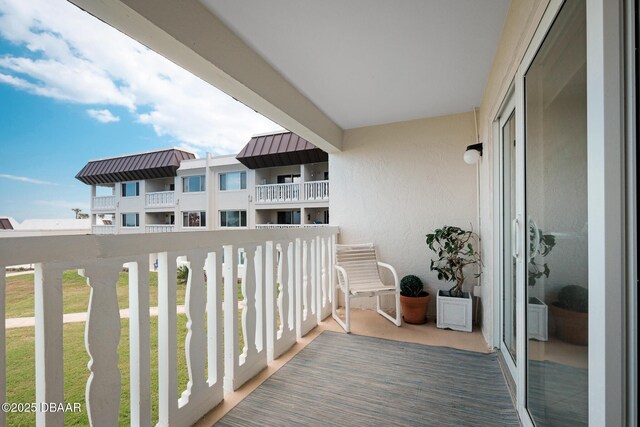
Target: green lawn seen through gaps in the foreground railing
20	351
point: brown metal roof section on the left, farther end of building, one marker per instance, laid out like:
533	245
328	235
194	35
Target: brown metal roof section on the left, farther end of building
156	164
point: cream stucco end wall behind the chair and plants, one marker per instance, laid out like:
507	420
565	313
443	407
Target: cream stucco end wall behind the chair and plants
395	183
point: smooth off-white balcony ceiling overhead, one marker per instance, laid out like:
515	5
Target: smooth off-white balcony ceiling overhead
367	62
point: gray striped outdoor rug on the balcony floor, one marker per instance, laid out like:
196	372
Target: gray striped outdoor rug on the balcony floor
350	380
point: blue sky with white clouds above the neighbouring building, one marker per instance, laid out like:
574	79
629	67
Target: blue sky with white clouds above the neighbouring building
73	89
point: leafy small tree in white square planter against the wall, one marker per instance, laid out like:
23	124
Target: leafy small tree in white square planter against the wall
454	248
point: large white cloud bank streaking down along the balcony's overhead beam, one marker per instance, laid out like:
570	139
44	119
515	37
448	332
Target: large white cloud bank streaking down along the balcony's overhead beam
76	58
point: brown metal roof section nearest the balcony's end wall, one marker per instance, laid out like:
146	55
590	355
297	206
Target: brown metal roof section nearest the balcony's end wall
279	149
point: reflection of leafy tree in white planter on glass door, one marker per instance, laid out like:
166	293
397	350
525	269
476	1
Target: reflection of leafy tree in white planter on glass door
540	245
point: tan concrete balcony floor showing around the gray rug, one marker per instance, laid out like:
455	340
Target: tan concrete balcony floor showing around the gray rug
366	323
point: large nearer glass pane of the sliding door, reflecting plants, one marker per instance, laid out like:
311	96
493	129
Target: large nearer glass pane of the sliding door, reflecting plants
555	125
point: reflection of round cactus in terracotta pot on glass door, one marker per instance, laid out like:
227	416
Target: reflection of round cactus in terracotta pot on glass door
570	315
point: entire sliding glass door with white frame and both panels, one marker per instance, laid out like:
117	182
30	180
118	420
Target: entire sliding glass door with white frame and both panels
543	225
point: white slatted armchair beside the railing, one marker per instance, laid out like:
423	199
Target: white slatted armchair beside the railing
358	276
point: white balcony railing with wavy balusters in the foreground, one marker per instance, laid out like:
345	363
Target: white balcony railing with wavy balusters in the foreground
299	261
